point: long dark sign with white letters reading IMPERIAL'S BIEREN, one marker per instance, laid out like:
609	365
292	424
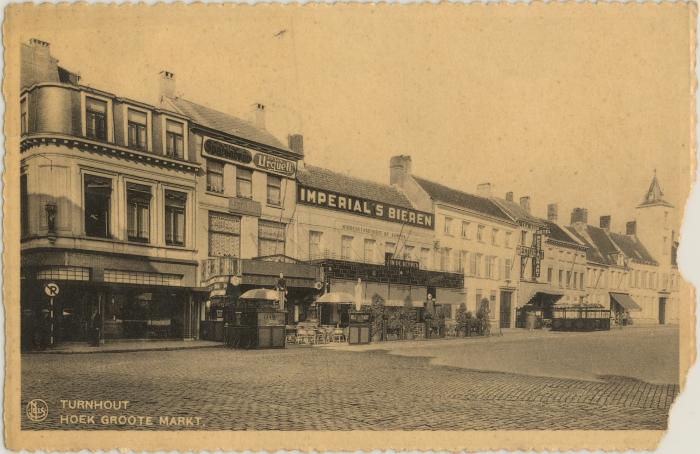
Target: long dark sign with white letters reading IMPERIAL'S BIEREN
364	207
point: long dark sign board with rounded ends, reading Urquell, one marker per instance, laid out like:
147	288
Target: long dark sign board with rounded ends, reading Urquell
237	155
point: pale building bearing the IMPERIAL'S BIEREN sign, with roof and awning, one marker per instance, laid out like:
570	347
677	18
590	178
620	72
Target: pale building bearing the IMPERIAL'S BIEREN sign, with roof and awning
369	241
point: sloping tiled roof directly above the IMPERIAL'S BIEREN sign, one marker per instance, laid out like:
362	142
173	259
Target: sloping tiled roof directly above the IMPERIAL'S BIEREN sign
328	180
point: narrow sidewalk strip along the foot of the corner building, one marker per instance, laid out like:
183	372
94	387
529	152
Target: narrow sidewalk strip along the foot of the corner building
128	346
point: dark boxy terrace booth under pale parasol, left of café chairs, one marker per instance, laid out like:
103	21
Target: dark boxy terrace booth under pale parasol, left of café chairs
255	321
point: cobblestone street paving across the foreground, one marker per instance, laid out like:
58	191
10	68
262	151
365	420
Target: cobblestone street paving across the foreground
329	389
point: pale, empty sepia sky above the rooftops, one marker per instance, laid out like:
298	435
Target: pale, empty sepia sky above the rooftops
574	109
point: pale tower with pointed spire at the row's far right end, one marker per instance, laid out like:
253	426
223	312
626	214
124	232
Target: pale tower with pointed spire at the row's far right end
656	224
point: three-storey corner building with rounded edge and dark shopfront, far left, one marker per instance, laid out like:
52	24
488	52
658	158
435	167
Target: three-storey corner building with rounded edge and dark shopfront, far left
108	201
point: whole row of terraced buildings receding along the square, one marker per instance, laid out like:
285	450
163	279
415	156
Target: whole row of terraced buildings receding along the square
146	215
